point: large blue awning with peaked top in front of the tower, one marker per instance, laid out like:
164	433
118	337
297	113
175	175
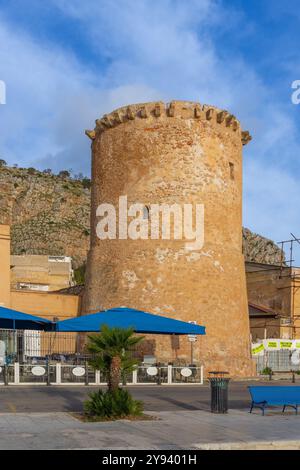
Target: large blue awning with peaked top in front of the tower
123	317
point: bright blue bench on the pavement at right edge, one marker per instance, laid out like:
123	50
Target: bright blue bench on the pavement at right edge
273	395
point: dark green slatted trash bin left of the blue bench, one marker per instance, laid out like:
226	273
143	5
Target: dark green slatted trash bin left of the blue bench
219	391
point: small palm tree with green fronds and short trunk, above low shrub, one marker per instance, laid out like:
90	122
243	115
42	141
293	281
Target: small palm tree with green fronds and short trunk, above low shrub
111	350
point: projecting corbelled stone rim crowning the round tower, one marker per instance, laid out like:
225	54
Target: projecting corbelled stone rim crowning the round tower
175	109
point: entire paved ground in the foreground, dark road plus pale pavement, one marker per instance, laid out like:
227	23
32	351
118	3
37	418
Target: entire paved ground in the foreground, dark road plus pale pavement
40	418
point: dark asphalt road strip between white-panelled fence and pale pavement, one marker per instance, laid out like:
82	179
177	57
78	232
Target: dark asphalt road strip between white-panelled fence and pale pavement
43	399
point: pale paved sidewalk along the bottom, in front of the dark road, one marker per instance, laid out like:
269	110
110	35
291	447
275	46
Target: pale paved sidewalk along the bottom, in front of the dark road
173	430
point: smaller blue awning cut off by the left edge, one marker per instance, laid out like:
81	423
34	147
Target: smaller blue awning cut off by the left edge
14	320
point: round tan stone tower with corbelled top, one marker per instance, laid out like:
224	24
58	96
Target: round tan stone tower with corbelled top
180	153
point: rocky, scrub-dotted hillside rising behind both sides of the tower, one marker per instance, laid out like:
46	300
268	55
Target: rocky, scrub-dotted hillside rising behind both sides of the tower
49	214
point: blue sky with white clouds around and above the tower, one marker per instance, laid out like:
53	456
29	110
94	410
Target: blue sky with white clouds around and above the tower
66	62
